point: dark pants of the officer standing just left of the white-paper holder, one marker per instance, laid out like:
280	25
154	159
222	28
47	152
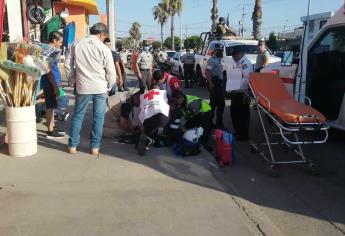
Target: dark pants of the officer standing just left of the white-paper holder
217	101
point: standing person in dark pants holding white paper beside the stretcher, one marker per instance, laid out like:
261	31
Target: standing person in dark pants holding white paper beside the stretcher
239	109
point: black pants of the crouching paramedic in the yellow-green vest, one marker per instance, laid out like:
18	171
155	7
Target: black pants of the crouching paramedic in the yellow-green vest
205	121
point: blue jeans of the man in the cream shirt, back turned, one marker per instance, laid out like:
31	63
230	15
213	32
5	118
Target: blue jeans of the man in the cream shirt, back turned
81	105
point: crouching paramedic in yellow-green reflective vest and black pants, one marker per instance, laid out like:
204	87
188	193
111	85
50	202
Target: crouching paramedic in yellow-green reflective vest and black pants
197	113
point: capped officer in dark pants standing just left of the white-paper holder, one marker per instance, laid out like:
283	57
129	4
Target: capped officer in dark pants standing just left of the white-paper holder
216	82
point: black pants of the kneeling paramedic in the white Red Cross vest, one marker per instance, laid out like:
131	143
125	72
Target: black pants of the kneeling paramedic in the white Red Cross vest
152	124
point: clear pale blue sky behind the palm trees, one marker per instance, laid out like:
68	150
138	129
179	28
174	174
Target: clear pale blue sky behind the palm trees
278	15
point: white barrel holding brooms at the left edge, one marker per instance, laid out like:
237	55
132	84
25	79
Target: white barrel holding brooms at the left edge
21	131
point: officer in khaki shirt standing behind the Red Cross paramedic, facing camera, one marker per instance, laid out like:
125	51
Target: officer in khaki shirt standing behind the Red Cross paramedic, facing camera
144	65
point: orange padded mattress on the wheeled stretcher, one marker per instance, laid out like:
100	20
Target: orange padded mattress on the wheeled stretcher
281	103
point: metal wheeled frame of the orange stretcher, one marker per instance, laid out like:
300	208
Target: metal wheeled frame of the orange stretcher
285	129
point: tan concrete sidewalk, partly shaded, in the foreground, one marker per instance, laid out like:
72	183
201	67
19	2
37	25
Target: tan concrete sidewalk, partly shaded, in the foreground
120	193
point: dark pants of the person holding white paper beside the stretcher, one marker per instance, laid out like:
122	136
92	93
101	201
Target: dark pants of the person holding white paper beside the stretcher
240	114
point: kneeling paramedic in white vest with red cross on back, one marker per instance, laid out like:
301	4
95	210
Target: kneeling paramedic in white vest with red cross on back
154	114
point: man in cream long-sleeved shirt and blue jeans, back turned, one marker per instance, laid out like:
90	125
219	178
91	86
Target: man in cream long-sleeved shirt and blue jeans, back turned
90	65
